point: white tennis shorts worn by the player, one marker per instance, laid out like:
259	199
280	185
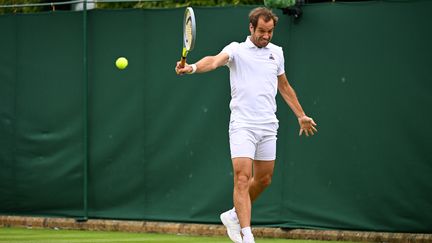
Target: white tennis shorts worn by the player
255	141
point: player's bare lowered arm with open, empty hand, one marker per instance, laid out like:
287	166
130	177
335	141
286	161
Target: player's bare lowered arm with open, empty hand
307	124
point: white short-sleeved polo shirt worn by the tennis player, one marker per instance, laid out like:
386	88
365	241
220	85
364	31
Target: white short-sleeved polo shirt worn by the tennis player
253	79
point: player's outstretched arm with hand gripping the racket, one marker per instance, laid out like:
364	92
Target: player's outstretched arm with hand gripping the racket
206	64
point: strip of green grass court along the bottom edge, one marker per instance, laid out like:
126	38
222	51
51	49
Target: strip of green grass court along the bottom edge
26	235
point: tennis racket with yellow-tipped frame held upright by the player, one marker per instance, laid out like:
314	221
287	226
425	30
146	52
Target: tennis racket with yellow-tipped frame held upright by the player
189	34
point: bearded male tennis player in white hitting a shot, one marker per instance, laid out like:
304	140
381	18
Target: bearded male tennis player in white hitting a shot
256	74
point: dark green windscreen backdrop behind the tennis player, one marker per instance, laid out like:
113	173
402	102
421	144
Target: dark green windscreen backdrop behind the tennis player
158	145
